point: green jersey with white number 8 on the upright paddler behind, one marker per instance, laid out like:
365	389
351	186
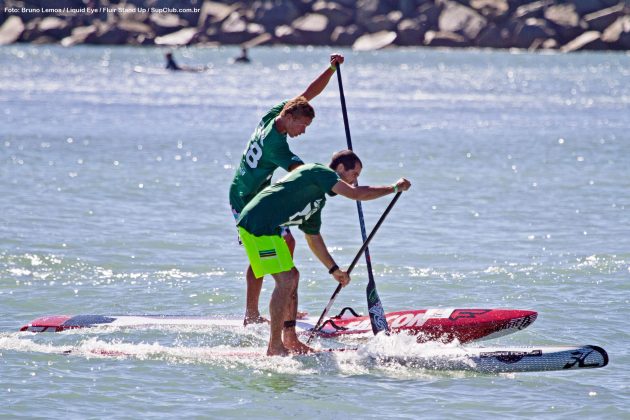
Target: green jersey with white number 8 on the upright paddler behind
266	150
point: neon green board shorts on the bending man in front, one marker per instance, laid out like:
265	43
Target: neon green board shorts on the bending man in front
268	254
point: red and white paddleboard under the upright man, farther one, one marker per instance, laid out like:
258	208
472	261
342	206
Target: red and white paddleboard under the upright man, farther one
445	324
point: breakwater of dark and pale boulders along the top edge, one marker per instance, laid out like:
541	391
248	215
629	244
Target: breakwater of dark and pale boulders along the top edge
566	25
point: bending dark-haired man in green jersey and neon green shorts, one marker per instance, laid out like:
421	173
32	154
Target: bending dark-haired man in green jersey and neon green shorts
298	199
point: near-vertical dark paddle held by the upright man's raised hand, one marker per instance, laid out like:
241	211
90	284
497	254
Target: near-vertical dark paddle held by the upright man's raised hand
375	307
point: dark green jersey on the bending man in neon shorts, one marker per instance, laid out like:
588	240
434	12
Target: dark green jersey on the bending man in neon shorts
296	199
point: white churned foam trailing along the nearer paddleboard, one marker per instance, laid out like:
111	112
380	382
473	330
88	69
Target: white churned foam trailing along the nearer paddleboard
244	347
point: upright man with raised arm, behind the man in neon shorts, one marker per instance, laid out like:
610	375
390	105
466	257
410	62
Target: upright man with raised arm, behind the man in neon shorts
267	150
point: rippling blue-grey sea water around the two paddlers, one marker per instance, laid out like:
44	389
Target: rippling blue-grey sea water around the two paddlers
113	187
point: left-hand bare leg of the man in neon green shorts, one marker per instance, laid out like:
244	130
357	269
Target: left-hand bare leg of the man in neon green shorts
279	308
